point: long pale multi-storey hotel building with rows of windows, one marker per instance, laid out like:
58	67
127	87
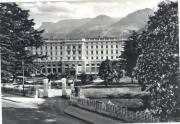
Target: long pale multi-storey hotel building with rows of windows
84	55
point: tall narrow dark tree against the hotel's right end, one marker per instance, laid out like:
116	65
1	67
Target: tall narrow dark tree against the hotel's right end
130	53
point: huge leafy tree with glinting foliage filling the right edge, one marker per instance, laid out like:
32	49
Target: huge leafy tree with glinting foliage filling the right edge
158	64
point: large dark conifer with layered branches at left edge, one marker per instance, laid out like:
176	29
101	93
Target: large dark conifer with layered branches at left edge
17	37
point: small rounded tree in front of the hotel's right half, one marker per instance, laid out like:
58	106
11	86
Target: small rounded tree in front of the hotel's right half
106	71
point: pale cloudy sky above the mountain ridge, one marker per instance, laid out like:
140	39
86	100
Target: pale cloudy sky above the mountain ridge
53	11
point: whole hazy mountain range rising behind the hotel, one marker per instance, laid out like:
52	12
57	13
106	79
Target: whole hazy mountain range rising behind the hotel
100	26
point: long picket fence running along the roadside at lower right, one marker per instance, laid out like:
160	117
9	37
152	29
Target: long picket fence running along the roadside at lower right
112	110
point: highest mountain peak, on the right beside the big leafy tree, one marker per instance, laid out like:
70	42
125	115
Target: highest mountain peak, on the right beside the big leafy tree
134	21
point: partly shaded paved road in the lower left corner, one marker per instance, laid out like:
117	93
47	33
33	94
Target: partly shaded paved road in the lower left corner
20	113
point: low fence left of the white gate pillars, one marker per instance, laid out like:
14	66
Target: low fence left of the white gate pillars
27	91
